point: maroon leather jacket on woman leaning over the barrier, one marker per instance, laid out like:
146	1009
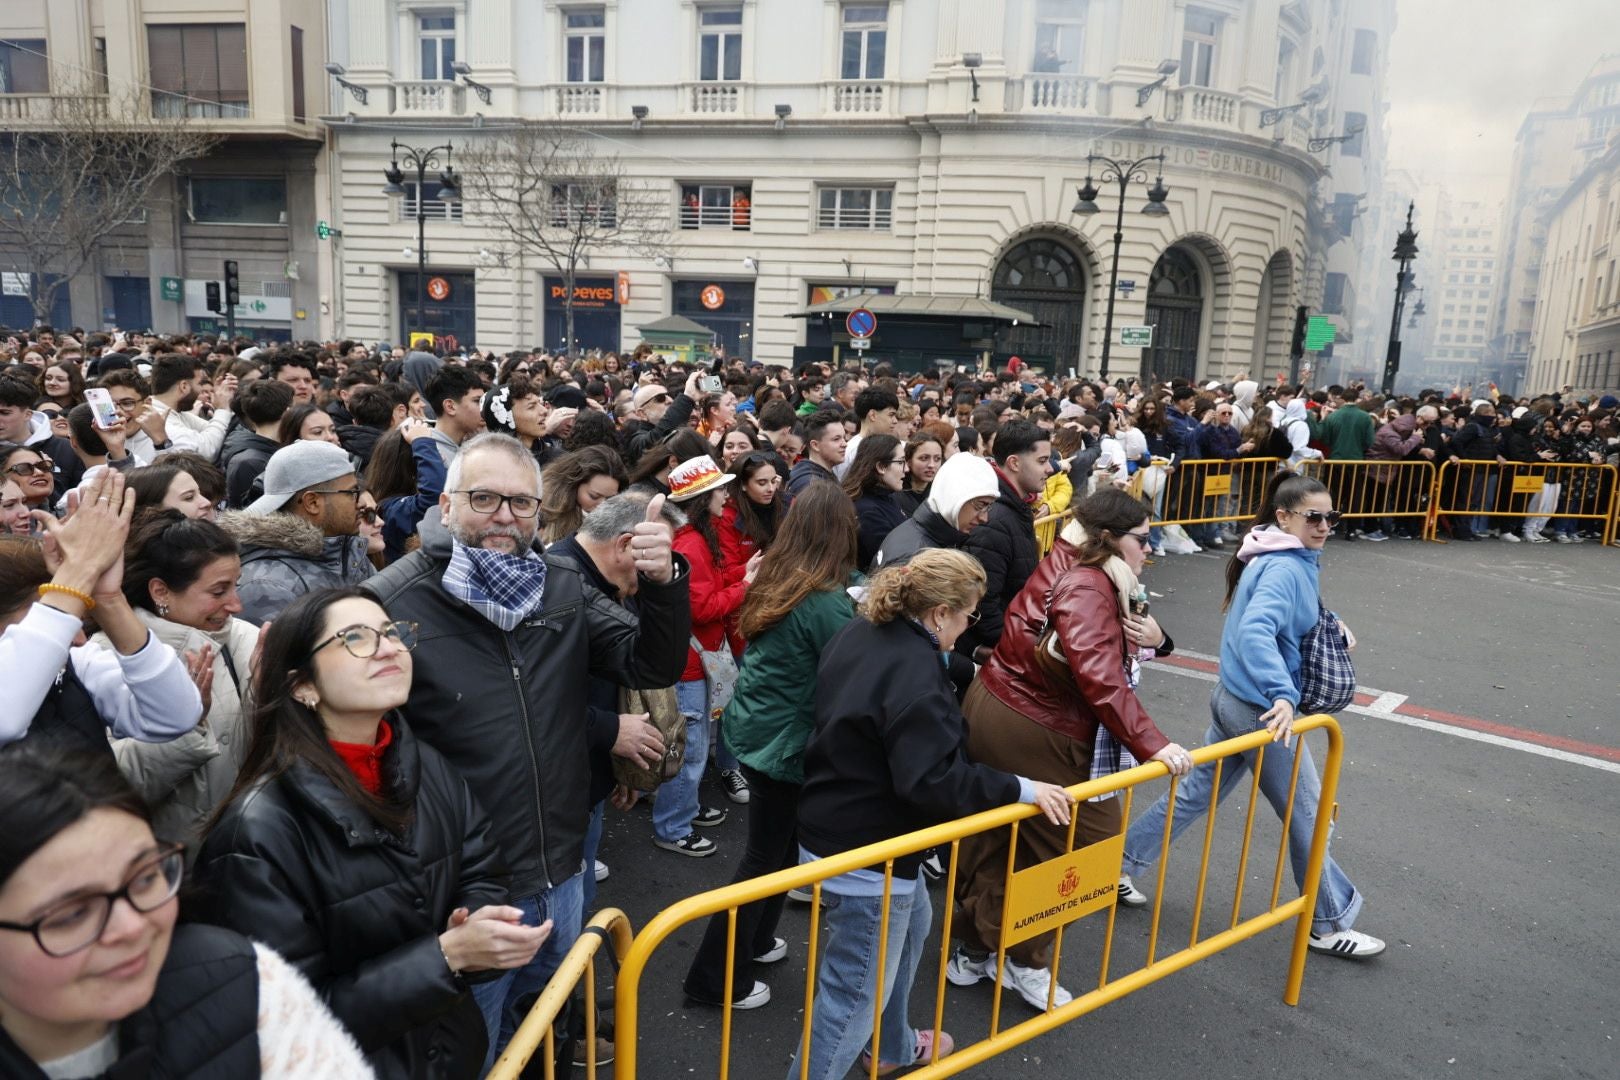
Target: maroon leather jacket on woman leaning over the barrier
1086	610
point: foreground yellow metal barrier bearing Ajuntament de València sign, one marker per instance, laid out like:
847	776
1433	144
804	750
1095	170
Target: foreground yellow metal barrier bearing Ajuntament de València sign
811	875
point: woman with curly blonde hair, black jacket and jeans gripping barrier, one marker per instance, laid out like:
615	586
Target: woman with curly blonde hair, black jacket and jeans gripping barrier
890	757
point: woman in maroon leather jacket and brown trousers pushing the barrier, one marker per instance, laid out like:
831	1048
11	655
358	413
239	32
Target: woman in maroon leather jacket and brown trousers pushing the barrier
1067	729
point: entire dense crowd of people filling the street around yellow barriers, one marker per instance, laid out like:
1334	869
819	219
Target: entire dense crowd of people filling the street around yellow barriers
360	645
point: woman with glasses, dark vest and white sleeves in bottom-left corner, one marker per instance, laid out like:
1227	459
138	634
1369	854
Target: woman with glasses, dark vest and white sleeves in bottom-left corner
96	979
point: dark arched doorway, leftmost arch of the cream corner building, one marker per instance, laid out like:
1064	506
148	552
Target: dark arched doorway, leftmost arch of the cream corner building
1047	279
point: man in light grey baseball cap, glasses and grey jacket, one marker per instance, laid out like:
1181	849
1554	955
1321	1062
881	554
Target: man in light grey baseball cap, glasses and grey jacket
304	534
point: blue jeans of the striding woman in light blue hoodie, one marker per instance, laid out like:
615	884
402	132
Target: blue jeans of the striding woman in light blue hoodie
1337	899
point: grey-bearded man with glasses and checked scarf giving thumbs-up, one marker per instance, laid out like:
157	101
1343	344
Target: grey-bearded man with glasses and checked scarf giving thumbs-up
511	639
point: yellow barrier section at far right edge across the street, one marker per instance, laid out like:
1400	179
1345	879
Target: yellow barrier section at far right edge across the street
1545	490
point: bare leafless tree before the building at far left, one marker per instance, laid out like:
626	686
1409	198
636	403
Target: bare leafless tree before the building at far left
79	172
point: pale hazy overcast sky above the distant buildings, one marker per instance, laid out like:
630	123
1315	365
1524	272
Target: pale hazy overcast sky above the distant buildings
1465	72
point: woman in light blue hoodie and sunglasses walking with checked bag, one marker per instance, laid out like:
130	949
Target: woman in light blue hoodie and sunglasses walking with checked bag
1273	602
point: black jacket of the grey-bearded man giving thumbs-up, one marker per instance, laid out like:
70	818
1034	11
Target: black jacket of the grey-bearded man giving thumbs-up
509	710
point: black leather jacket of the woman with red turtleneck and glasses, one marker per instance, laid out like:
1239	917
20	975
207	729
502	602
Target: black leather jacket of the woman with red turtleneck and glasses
359	911
